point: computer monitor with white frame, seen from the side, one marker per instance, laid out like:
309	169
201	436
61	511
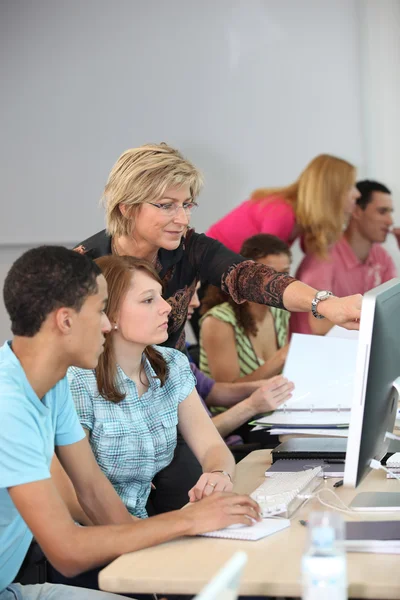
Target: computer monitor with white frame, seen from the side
376	391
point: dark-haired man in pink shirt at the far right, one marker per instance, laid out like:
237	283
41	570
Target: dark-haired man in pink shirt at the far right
357	262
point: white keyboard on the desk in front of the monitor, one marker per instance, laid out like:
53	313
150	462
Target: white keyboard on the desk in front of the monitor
282	493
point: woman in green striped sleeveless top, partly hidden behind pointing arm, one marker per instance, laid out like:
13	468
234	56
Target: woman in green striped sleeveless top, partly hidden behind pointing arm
245	342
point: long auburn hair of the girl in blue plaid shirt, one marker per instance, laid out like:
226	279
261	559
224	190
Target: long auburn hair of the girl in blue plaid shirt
118	271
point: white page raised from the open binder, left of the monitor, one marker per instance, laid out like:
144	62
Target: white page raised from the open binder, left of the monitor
322	369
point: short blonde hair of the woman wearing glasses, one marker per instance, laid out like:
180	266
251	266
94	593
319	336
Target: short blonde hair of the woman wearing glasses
142	175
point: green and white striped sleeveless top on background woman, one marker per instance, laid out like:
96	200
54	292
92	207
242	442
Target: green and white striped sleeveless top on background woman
247	357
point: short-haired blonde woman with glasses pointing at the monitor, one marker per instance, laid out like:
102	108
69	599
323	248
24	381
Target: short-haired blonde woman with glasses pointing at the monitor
149	198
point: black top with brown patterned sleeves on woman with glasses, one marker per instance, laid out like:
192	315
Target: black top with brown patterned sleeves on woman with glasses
200	258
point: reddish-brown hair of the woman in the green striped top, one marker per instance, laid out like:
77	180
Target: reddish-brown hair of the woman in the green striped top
254	248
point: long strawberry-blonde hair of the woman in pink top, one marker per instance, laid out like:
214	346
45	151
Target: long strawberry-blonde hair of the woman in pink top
318	198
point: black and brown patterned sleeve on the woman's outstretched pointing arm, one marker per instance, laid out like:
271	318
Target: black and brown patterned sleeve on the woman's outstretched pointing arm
241	278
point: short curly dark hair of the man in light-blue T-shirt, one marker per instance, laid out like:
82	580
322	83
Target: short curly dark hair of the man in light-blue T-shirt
43	279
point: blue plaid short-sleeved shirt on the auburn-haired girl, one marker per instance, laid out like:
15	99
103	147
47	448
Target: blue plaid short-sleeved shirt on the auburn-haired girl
136	438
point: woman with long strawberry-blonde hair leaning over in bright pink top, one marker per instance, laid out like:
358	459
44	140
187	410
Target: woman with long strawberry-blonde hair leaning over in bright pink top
315	206
